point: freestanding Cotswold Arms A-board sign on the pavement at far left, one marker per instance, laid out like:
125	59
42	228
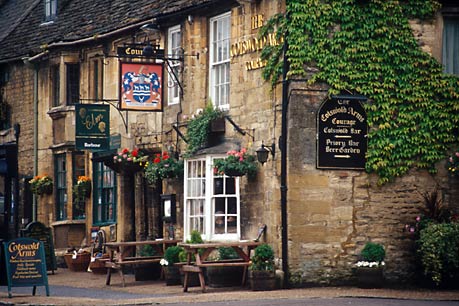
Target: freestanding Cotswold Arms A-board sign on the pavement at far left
25	264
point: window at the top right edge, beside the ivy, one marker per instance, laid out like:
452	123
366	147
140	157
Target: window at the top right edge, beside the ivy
450	48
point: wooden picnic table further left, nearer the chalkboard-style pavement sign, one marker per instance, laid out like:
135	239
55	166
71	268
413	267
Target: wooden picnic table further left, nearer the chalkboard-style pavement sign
121	254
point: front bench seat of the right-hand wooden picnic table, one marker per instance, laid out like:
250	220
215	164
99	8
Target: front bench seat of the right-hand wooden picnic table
198	268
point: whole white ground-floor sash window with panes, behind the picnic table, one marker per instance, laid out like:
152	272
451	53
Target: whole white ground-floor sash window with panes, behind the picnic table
212	202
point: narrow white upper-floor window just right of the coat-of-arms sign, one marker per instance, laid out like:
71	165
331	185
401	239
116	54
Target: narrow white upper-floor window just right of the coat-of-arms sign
174	46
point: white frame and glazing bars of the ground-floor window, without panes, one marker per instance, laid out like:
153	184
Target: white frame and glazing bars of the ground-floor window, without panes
200	187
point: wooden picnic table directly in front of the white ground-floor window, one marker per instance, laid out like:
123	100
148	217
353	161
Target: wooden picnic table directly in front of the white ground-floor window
201	252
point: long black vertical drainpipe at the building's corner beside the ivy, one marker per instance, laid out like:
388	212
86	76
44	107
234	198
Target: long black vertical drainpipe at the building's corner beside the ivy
283	149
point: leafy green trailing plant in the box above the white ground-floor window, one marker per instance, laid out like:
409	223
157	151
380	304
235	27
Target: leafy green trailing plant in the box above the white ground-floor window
199	129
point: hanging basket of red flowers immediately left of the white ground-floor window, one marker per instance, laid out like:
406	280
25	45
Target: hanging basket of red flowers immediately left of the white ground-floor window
163	166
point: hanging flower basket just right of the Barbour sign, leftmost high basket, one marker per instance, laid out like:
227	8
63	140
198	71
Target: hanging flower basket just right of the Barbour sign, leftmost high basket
128	161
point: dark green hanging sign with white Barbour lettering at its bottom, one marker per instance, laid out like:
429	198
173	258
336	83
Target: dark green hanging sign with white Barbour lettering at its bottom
92	127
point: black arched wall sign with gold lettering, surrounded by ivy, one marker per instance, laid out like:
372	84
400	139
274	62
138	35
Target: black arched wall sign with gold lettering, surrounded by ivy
342	133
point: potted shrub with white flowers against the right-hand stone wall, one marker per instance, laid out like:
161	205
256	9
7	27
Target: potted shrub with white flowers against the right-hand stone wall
369	269
